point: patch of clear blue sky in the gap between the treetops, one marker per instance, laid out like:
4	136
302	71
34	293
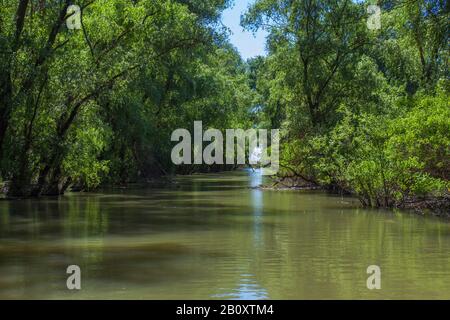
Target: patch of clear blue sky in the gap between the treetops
248	45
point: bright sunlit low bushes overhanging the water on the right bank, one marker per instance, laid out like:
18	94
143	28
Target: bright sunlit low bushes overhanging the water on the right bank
385	161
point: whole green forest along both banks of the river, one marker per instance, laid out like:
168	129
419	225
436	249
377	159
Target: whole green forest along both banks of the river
362	111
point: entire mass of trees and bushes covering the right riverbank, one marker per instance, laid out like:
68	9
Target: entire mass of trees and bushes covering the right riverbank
364	111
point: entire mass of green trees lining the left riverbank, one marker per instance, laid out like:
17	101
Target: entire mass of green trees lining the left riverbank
98	104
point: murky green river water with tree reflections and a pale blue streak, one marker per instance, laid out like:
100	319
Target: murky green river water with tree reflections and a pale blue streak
211	236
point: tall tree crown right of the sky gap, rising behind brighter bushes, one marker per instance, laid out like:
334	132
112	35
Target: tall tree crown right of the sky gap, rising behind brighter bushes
315	45
